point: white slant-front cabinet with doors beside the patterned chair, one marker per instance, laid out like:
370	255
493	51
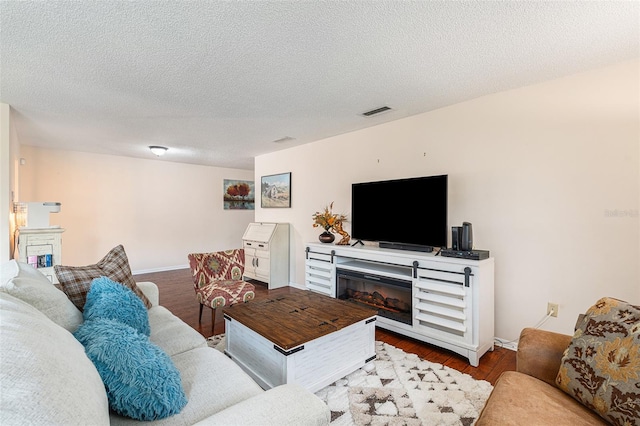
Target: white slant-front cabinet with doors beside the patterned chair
266	253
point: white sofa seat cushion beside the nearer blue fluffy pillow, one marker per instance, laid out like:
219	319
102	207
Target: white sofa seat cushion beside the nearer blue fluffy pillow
211	381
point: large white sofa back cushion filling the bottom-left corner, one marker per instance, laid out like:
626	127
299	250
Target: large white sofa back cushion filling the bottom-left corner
46	377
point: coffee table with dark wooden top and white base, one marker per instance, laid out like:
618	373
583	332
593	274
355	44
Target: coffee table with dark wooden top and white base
301	337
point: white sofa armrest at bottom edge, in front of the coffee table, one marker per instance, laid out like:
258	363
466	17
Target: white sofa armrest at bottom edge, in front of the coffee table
285	405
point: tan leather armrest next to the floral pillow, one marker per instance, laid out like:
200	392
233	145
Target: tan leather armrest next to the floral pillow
540	353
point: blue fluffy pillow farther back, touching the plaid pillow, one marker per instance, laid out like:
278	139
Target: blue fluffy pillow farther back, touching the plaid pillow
112	300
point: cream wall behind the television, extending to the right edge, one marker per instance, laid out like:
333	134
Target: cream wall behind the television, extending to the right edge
547	174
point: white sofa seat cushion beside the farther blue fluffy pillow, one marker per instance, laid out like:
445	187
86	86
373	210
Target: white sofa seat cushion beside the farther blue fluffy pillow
172	334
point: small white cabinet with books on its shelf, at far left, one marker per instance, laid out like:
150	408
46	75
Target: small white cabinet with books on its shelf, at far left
42	248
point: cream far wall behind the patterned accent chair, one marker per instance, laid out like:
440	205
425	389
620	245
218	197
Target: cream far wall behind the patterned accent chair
158	210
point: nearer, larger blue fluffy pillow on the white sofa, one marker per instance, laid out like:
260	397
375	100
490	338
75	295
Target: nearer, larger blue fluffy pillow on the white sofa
141	380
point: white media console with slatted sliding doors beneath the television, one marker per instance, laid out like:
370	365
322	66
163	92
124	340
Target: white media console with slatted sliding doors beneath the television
450	299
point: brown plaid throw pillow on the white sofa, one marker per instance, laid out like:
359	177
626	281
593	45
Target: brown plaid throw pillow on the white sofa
76	280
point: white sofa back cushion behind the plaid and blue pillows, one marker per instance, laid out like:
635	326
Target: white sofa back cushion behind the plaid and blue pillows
30	285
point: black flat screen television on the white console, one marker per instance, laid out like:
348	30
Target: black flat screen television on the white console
409	214
